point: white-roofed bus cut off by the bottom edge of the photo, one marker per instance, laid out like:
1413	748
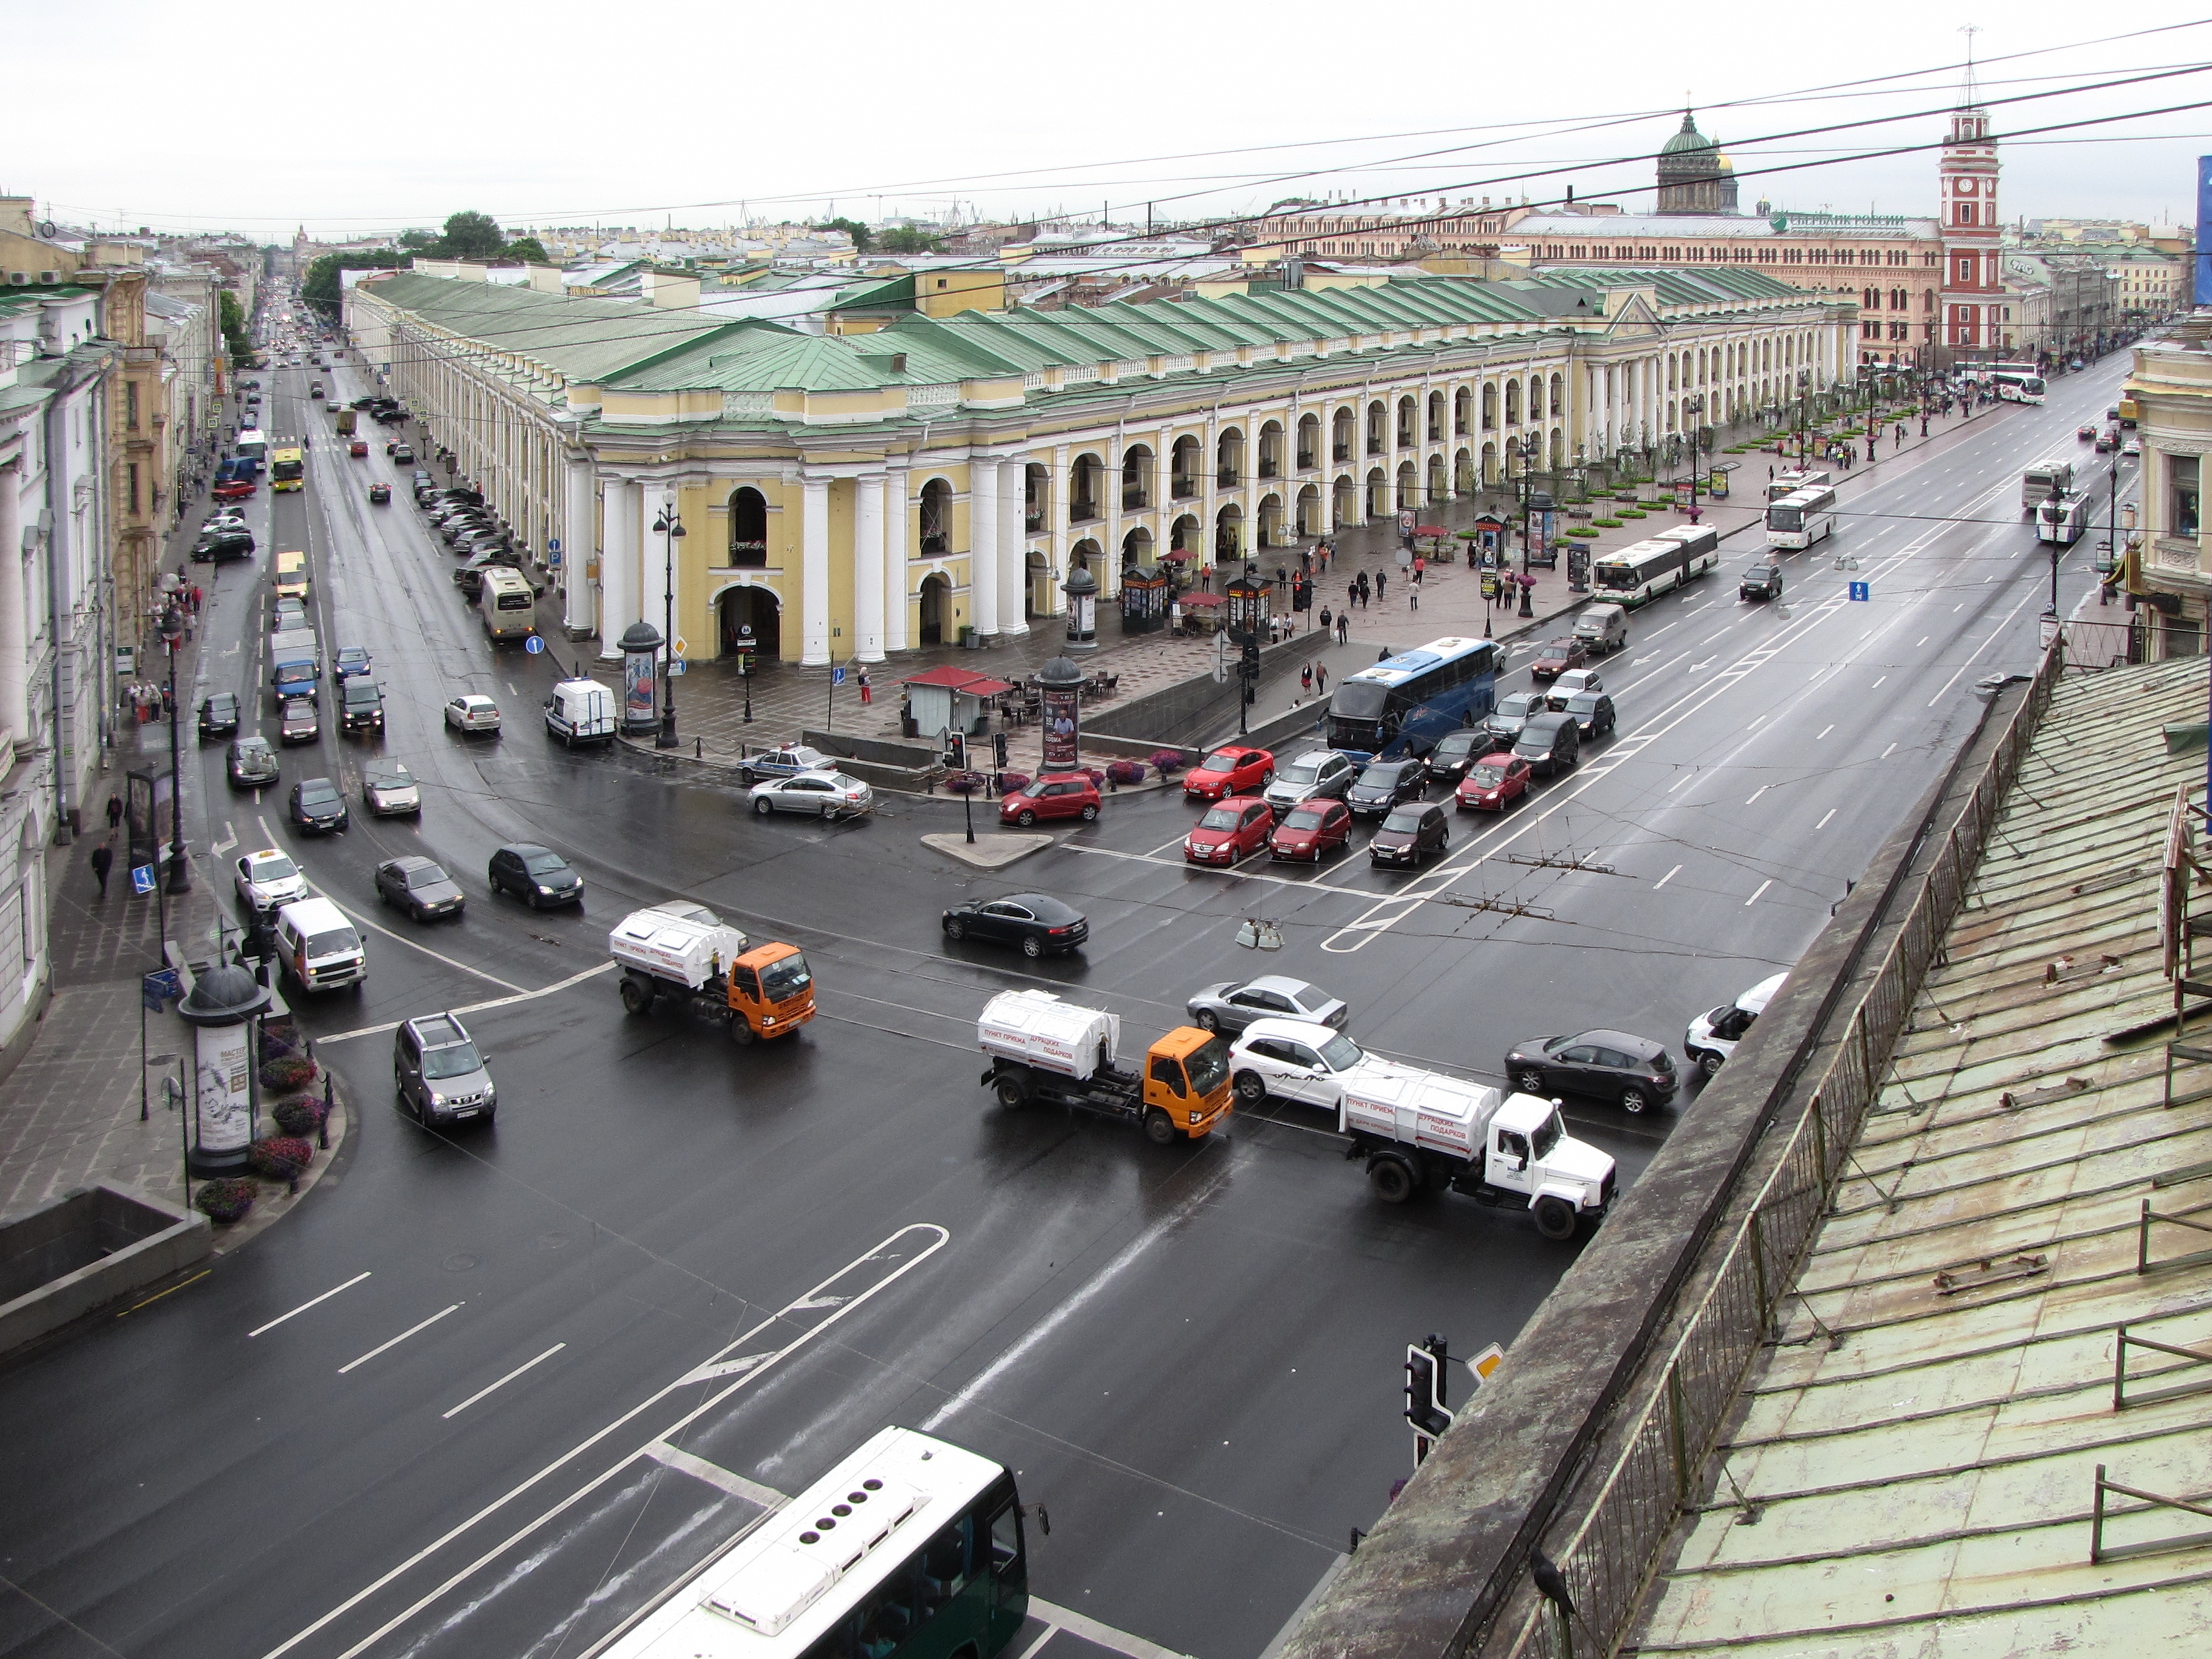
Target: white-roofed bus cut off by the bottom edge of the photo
910	1550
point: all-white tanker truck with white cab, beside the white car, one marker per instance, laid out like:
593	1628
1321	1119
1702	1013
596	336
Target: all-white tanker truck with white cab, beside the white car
1419	1129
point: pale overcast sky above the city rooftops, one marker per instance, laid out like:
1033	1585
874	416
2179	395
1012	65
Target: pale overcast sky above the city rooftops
371	118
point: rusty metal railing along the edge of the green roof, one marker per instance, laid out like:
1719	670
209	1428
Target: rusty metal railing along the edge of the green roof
1616	1550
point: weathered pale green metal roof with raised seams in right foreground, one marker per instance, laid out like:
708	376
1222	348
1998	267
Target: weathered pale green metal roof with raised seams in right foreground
1917	1461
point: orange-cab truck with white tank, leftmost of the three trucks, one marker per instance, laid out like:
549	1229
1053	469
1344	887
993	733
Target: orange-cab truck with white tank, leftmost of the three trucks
689	954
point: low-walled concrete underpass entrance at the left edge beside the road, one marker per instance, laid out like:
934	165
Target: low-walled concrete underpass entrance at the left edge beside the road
87	1251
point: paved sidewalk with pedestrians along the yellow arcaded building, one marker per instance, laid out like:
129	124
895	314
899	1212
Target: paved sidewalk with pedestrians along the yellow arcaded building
789	700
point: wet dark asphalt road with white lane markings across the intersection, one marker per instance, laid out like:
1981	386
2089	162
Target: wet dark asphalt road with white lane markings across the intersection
762	1255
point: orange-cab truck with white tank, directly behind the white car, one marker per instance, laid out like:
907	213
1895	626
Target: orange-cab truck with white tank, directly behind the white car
1065	1054
